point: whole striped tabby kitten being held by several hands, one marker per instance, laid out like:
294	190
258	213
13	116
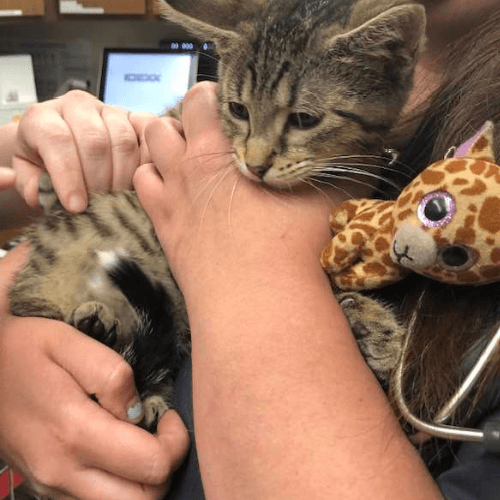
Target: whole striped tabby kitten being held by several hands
304	85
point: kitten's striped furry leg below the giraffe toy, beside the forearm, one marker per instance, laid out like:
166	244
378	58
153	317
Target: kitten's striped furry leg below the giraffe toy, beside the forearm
377	330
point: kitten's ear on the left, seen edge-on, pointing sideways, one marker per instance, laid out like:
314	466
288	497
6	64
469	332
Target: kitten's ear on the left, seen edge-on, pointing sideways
224	38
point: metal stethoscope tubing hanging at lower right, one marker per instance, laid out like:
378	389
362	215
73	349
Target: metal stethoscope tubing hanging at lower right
489	436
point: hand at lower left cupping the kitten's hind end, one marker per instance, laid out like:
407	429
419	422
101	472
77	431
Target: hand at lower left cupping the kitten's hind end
64	443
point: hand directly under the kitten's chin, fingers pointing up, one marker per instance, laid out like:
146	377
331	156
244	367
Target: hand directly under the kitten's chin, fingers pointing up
208	216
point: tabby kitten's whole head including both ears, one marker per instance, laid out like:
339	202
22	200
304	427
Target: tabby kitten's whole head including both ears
303	84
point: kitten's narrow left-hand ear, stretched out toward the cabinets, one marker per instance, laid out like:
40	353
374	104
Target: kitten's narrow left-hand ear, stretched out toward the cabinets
179	12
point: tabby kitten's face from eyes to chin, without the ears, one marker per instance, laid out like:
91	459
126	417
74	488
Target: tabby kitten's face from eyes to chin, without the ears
294	125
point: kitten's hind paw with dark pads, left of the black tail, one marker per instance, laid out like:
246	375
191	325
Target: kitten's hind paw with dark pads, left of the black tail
96	320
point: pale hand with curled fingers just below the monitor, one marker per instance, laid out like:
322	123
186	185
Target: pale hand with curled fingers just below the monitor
85	145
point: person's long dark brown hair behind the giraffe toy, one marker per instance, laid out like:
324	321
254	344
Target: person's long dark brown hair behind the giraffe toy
452	321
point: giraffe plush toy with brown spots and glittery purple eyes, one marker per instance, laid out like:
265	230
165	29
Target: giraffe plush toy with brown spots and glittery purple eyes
444	225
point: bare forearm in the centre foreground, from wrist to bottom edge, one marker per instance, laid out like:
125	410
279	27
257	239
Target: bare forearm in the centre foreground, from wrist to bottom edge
286	412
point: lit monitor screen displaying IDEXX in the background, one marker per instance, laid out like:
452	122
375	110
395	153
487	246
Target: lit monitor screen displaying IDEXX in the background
147	79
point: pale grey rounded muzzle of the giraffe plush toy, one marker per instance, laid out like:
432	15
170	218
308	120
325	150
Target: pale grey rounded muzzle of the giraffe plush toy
413	248
